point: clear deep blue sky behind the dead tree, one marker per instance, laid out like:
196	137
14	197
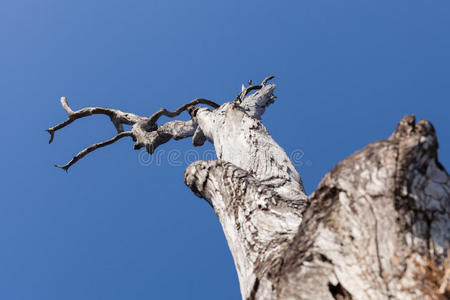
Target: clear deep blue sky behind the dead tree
115	228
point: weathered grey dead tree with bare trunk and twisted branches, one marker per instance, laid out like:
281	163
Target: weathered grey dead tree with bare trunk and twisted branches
377	227
